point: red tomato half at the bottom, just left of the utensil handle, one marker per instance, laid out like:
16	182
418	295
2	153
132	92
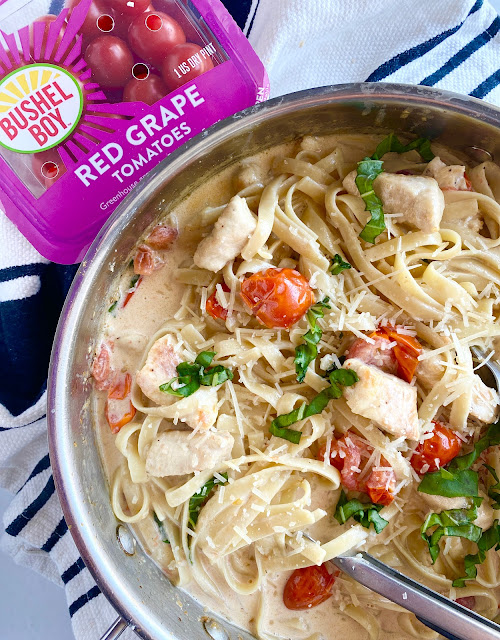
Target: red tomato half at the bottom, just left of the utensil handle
308	587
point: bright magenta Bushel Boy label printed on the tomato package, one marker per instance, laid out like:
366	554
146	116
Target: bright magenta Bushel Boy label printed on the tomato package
104	148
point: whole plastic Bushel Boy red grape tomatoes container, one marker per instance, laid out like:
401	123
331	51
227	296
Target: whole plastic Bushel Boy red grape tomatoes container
93	98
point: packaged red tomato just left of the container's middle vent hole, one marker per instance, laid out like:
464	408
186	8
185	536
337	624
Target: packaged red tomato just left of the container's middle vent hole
110	60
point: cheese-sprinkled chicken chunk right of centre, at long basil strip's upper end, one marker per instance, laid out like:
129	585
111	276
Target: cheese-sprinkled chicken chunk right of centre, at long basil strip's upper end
383	398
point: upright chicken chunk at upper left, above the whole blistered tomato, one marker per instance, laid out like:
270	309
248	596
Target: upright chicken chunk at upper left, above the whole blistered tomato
228	237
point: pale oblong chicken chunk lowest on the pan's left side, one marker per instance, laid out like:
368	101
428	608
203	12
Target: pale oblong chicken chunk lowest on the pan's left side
175	453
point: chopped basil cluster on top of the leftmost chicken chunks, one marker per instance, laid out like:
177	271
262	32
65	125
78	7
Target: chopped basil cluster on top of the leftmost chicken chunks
192	375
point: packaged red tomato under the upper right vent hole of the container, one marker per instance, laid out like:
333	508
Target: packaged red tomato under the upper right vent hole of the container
153	35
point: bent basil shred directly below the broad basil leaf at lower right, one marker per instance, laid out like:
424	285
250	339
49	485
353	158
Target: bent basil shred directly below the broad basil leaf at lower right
455	522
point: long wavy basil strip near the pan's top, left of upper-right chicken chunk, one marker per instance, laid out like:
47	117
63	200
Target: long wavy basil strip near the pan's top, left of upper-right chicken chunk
371	168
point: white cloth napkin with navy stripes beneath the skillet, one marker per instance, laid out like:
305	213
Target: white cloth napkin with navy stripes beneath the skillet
451	44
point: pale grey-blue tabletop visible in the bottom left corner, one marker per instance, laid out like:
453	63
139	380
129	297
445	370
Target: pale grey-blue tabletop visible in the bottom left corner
44	612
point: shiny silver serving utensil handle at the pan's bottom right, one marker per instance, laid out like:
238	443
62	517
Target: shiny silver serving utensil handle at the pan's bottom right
451	620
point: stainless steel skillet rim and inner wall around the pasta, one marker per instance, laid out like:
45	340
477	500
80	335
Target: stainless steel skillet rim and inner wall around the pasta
135	587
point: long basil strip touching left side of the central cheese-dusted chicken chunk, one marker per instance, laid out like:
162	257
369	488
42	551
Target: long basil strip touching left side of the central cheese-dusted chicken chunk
318	403
